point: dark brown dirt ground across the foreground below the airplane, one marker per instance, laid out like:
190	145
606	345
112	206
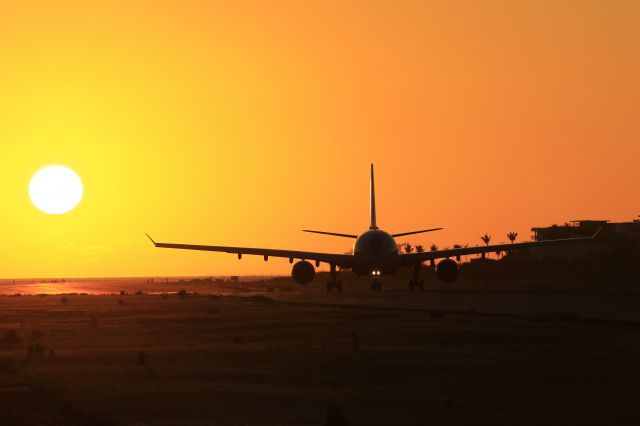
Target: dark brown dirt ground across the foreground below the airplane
274	354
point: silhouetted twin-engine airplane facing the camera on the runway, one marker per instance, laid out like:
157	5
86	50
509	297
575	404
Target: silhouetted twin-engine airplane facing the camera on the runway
375	254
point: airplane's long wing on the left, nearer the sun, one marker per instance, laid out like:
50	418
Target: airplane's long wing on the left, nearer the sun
342	260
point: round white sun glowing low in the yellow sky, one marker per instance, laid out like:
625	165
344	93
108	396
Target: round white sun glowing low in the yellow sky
55	189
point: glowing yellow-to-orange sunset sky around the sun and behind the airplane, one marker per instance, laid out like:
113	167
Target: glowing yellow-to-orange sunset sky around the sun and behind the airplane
242	122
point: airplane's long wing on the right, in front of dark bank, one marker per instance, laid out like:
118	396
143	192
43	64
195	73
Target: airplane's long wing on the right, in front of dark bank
412	258
